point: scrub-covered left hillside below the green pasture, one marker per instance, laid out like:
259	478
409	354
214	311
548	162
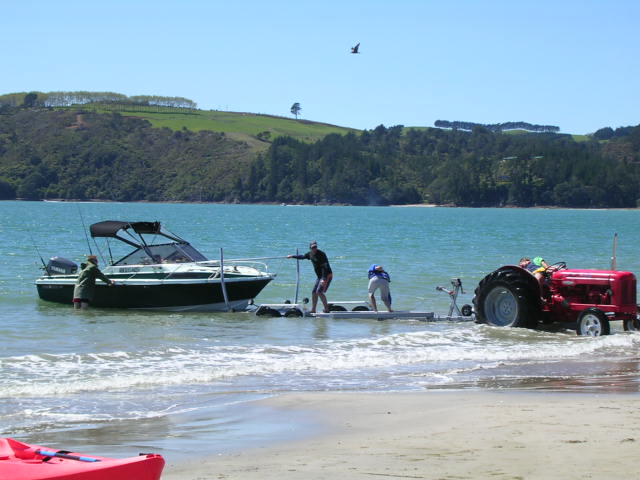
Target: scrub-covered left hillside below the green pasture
62	154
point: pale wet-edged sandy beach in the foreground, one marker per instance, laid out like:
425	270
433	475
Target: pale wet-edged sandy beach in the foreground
443	435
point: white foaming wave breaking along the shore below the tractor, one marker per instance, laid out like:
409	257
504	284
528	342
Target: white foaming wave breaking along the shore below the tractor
443	351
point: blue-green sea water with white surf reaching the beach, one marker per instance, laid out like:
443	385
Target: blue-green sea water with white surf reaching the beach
115	380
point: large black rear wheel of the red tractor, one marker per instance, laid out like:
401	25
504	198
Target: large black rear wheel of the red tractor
508	297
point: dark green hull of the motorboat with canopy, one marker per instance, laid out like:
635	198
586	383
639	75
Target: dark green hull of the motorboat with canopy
181	295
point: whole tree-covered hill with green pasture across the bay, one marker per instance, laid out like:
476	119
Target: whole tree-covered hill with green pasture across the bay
169	151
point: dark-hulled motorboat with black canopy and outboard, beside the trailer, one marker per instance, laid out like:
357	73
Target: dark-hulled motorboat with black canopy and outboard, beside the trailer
162	272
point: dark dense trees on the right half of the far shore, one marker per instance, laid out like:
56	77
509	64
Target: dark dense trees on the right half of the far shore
479	168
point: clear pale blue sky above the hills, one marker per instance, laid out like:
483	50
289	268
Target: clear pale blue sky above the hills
574	64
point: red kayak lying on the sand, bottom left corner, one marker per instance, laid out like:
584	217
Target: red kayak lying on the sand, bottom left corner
20	461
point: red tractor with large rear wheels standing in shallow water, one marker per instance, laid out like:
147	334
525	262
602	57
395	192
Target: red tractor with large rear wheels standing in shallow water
588	299
